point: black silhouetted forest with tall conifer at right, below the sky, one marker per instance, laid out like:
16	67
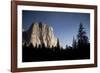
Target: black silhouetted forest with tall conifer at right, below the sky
80	49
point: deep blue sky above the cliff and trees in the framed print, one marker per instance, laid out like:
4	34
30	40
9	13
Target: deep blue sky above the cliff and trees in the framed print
65	24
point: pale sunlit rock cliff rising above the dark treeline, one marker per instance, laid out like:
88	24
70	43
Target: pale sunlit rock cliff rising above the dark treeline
39	34
